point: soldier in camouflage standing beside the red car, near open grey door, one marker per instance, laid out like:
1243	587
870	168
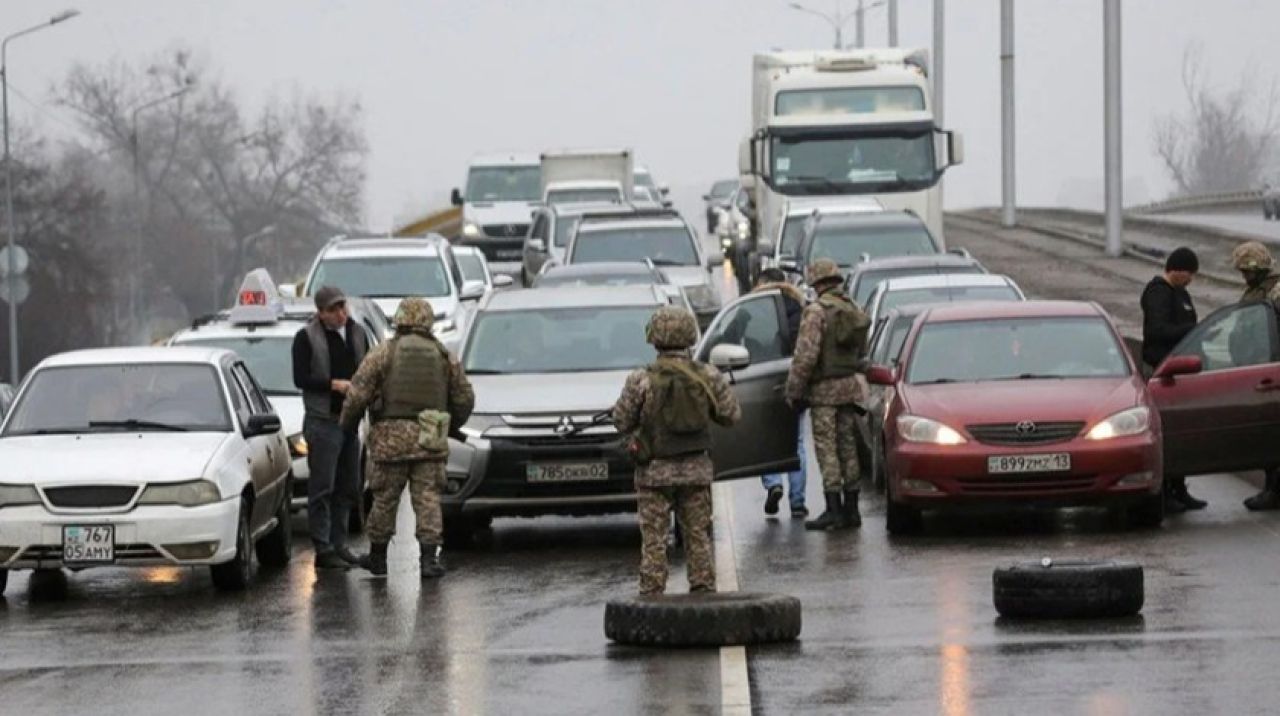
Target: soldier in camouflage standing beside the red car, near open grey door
829	357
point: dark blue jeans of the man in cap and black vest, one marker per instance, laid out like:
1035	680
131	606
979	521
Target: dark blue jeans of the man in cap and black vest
333	458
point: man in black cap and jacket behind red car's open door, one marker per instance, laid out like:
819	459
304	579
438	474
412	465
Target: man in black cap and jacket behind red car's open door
1168	316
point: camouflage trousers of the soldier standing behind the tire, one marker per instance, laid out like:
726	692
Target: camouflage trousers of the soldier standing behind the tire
693	507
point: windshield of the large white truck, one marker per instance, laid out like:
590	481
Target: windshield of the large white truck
862	165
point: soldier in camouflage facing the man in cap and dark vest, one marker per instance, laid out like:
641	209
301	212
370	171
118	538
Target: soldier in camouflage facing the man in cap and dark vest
399	381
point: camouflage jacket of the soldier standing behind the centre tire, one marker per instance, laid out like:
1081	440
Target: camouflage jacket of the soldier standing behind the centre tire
634	409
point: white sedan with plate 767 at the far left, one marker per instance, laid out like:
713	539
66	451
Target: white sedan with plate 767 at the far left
144	457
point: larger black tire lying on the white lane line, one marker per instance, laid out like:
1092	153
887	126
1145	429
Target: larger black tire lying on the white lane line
703	621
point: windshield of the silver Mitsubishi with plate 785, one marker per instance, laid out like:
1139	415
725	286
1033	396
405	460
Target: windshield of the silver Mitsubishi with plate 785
559	341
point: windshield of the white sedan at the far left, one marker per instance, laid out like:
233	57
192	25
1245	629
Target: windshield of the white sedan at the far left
93	399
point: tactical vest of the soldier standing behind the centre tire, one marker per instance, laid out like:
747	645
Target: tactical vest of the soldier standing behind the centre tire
683	409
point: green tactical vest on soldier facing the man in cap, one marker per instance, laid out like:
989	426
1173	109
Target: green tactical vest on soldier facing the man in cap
418	378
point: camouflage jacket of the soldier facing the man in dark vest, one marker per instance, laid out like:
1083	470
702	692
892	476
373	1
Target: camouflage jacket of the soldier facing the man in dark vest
396	441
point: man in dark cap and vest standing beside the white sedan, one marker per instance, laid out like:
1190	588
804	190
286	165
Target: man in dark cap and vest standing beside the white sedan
326	355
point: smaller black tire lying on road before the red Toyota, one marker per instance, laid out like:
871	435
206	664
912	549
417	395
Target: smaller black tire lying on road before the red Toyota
1072	590
